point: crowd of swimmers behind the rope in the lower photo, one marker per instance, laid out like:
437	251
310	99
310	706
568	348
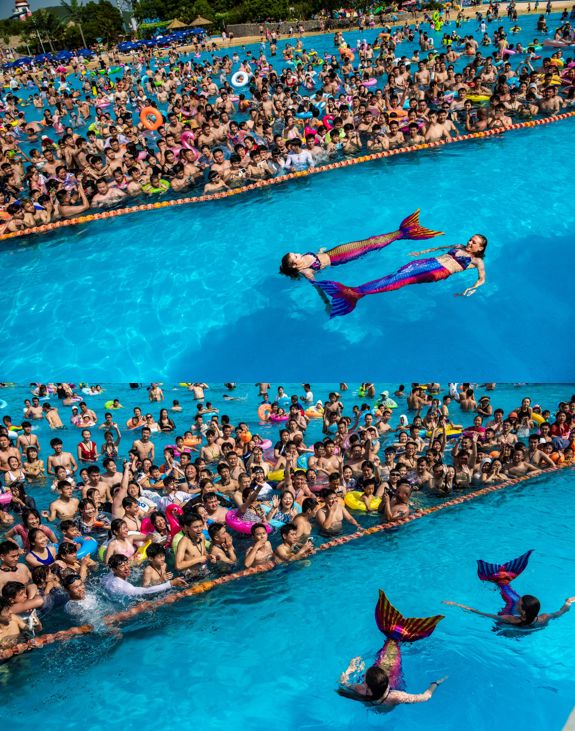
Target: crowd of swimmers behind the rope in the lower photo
122	516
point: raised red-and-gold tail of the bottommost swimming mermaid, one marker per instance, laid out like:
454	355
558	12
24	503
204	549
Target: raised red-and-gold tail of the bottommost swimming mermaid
398	628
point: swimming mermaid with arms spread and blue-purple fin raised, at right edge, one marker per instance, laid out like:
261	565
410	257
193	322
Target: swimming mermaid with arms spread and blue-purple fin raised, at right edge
520	611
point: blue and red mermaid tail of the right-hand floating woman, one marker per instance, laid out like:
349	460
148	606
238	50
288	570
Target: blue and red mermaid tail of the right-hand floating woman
344	299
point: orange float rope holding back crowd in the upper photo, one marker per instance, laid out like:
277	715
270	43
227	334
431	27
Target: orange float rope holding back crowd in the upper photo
44	228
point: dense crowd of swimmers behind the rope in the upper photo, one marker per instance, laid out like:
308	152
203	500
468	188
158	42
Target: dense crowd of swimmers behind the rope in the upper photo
157	123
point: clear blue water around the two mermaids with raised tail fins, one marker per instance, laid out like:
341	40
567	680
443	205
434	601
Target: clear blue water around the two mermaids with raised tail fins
266	652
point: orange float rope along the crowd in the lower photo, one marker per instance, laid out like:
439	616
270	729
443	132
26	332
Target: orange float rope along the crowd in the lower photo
204	586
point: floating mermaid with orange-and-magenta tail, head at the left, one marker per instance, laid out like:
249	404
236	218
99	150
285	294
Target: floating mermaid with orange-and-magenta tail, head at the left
305	265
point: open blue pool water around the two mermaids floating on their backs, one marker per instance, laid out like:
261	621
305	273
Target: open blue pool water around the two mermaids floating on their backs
158	293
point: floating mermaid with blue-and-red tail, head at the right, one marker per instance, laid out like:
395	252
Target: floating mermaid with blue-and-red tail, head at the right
456	259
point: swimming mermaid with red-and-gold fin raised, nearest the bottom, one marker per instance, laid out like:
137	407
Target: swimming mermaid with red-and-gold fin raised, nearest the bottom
383	682
